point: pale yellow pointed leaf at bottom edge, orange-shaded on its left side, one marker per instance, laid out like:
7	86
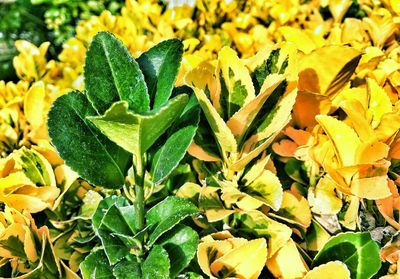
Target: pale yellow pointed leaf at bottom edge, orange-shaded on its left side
287	263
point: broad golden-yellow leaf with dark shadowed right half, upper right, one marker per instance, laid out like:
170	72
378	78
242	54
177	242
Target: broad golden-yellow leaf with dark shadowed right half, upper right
315	76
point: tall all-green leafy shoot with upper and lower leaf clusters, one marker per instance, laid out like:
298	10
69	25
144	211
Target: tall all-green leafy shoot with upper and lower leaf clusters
133	129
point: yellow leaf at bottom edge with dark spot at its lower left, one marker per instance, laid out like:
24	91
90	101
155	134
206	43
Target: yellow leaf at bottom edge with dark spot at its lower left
246	261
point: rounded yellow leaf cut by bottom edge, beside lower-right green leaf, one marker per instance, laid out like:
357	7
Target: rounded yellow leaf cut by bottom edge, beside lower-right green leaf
330	270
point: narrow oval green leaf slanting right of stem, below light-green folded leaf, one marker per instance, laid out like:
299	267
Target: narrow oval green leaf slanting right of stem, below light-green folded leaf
174	149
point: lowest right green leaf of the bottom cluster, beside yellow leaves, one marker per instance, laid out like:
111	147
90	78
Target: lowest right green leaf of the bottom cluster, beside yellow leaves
181	245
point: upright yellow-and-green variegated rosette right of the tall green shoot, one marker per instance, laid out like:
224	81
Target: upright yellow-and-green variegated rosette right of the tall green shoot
246	103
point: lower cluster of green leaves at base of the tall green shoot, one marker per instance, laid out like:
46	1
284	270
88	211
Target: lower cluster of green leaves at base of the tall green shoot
170	246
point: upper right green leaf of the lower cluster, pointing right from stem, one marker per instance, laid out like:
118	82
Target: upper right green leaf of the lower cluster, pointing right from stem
166	214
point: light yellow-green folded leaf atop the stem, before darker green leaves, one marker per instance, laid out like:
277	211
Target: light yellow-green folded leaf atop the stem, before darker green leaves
134	132
